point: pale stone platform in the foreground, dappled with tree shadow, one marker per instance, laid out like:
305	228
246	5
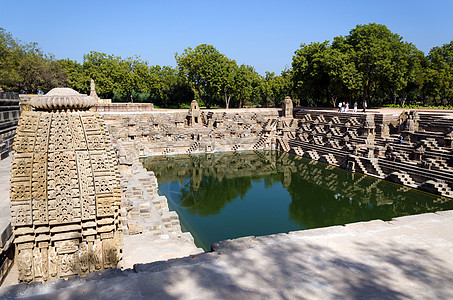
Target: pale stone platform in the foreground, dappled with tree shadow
406	258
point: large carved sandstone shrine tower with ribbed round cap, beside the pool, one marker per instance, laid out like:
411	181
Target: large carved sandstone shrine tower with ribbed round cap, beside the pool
65	195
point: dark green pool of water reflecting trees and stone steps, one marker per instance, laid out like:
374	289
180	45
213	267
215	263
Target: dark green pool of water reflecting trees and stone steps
228	195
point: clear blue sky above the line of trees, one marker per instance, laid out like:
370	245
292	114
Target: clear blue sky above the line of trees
263	33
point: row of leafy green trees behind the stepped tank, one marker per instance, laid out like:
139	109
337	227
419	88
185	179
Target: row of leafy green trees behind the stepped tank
370	64
